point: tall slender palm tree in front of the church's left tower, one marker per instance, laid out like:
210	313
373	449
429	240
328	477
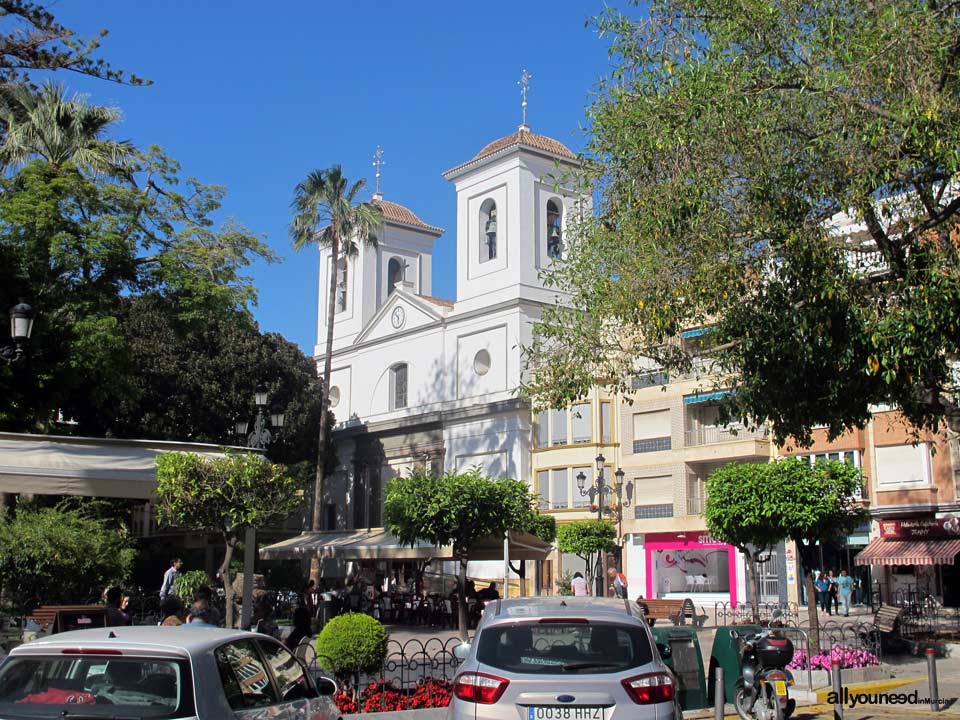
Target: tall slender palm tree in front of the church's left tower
326	214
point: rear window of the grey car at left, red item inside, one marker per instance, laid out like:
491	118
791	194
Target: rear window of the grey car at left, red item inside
81	686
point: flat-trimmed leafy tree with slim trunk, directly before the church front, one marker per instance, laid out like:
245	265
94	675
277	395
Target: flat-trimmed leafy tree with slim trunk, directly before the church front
457	509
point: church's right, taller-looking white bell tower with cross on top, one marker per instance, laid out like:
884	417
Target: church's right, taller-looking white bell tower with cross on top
510	215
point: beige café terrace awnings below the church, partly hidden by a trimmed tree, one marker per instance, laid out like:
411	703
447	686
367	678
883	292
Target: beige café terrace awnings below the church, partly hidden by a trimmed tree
379	544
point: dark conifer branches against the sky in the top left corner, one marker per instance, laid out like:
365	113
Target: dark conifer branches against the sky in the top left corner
32	40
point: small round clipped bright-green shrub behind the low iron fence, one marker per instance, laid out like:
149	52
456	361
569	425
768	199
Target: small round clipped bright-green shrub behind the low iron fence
352	643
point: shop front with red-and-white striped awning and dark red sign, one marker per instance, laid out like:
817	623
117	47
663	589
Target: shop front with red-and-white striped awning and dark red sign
915	558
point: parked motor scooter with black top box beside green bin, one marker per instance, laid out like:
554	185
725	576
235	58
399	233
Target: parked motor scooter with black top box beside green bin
762	689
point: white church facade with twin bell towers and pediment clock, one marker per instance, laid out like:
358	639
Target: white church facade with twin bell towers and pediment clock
418	380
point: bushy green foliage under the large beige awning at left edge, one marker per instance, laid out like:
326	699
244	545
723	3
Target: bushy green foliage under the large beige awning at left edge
61	555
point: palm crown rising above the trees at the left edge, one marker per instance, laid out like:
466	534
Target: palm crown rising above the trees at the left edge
50	126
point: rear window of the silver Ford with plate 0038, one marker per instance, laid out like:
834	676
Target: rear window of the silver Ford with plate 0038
560	647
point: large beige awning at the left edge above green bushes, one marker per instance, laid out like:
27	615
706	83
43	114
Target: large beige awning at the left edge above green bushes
98	467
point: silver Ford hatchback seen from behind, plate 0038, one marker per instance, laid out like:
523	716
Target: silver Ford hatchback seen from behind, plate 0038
563	658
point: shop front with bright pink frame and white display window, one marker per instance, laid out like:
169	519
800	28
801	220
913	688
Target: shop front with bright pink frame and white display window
694	565
